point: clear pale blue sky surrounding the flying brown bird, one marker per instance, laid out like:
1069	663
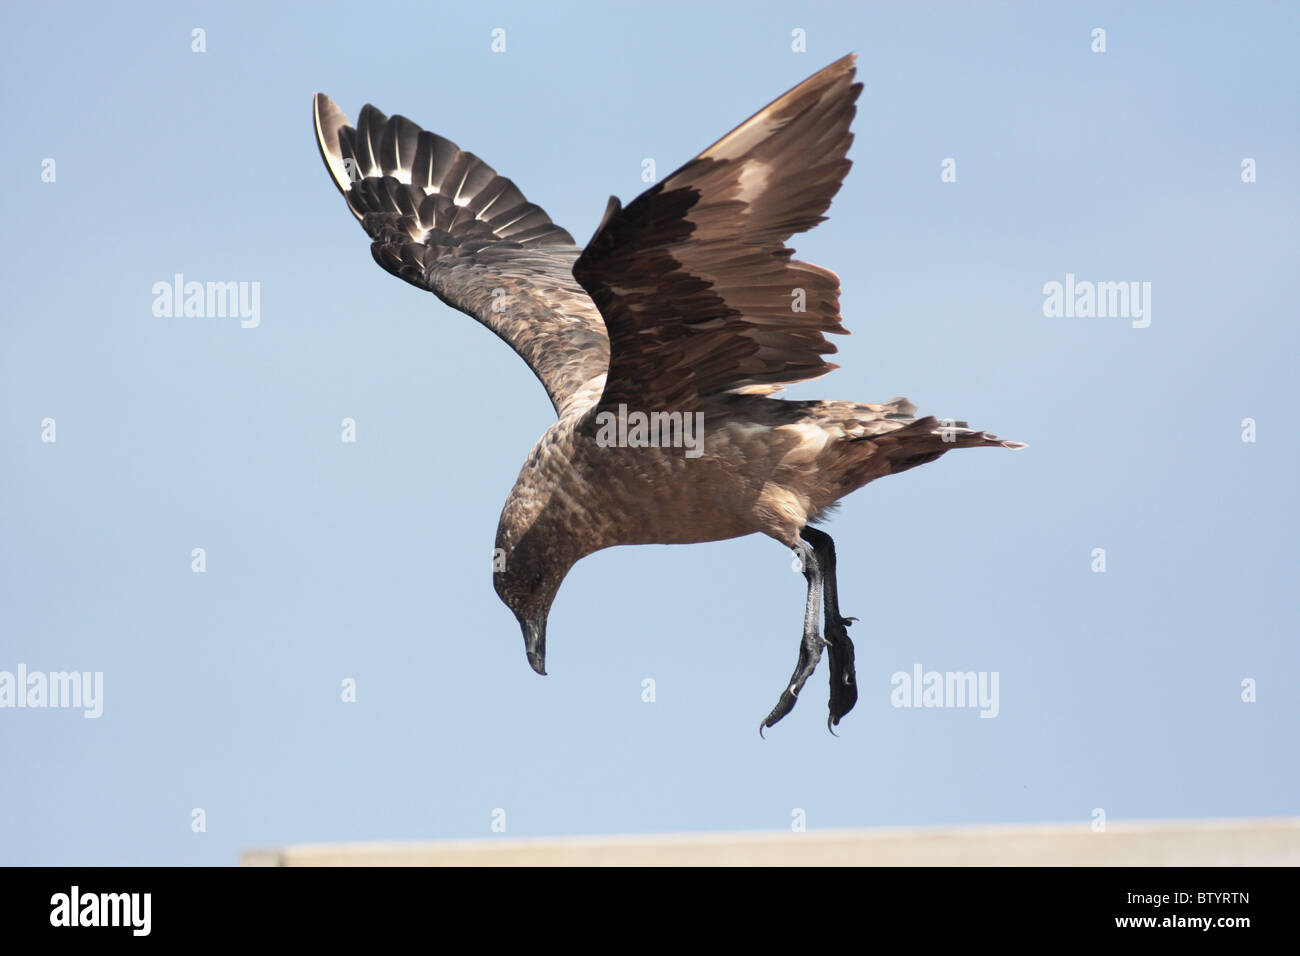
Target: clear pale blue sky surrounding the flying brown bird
328	561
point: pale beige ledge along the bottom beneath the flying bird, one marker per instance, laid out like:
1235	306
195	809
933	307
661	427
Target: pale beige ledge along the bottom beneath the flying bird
1191	843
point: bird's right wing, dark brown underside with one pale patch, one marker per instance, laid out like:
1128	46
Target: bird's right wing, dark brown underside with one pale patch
699	292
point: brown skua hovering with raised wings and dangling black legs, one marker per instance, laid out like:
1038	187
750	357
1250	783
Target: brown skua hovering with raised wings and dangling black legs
664	345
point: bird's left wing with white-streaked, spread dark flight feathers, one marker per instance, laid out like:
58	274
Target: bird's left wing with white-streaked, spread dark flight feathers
443	220
